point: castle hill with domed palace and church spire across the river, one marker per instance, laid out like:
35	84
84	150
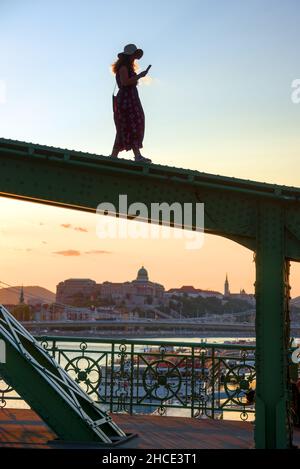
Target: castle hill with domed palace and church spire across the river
142	297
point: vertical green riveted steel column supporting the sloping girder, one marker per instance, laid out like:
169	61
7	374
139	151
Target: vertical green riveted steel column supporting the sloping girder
272	427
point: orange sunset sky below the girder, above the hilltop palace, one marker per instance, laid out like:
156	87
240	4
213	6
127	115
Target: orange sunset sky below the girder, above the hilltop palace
43	245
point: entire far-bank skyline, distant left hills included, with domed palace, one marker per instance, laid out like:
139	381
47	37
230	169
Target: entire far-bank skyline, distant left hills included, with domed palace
84	299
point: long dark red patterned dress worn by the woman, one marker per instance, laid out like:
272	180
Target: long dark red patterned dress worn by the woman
129	116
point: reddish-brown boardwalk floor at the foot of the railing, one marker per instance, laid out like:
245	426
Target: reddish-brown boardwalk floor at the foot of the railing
20	428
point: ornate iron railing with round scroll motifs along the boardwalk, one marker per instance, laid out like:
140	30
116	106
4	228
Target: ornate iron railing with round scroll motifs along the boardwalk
141	376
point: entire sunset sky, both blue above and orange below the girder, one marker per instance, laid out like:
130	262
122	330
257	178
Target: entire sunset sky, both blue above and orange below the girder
217	99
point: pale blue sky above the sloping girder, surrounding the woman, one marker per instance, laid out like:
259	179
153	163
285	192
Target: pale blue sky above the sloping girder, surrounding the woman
219	100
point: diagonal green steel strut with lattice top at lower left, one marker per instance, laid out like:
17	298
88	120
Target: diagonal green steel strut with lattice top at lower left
50	391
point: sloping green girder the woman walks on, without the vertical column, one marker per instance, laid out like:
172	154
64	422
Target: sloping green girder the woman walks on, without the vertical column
81	181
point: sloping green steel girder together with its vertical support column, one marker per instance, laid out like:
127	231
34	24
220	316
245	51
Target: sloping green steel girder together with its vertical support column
262	217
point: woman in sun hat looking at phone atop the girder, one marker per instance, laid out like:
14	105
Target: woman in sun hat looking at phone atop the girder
128	111
